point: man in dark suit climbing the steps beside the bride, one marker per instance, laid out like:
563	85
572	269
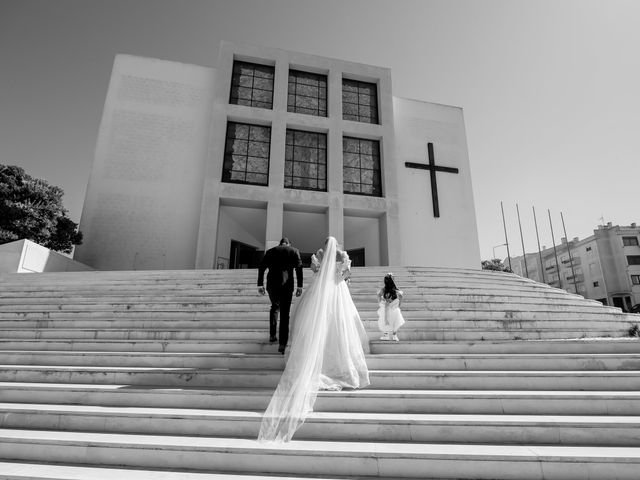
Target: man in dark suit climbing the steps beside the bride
280	261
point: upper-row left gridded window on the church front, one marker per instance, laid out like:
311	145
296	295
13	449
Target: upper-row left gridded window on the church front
252	85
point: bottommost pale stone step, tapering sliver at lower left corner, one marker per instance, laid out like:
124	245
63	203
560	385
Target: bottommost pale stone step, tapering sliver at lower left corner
31	471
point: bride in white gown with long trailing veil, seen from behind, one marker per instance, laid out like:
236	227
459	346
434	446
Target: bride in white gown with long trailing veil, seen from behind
326	347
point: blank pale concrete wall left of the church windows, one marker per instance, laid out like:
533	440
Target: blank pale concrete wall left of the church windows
143	199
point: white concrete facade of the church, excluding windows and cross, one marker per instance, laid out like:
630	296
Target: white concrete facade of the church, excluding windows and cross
185	216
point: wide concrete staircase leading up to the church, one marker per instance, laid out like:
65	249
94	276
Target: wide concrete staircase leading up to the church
164	375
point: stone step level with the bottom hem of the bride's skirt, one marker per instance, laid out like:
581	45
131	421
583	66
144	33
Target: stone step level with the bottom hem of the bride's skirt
380	379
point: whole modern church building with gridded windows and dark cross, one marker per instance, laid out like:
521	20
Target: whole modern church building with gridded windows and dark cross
205	168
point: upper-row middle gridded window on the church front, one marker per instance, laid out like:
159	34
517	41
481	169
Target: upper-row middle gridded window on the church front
307	93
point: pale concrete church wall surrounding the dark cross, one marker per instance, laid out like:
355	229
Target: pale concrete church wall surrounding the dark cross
451	239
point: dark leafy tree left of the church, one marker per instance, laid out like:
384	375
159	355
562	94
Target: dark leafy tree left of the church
31	208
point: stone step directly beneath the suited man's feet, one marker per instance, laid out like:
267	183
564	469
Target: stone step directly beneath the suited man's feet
390	361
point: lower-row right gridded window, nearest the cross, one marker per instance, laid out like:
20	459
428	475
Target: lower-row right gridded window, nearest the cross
361	166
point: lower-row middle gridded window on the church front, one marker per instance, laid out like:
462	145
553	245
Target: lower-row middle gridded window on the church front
305	160
